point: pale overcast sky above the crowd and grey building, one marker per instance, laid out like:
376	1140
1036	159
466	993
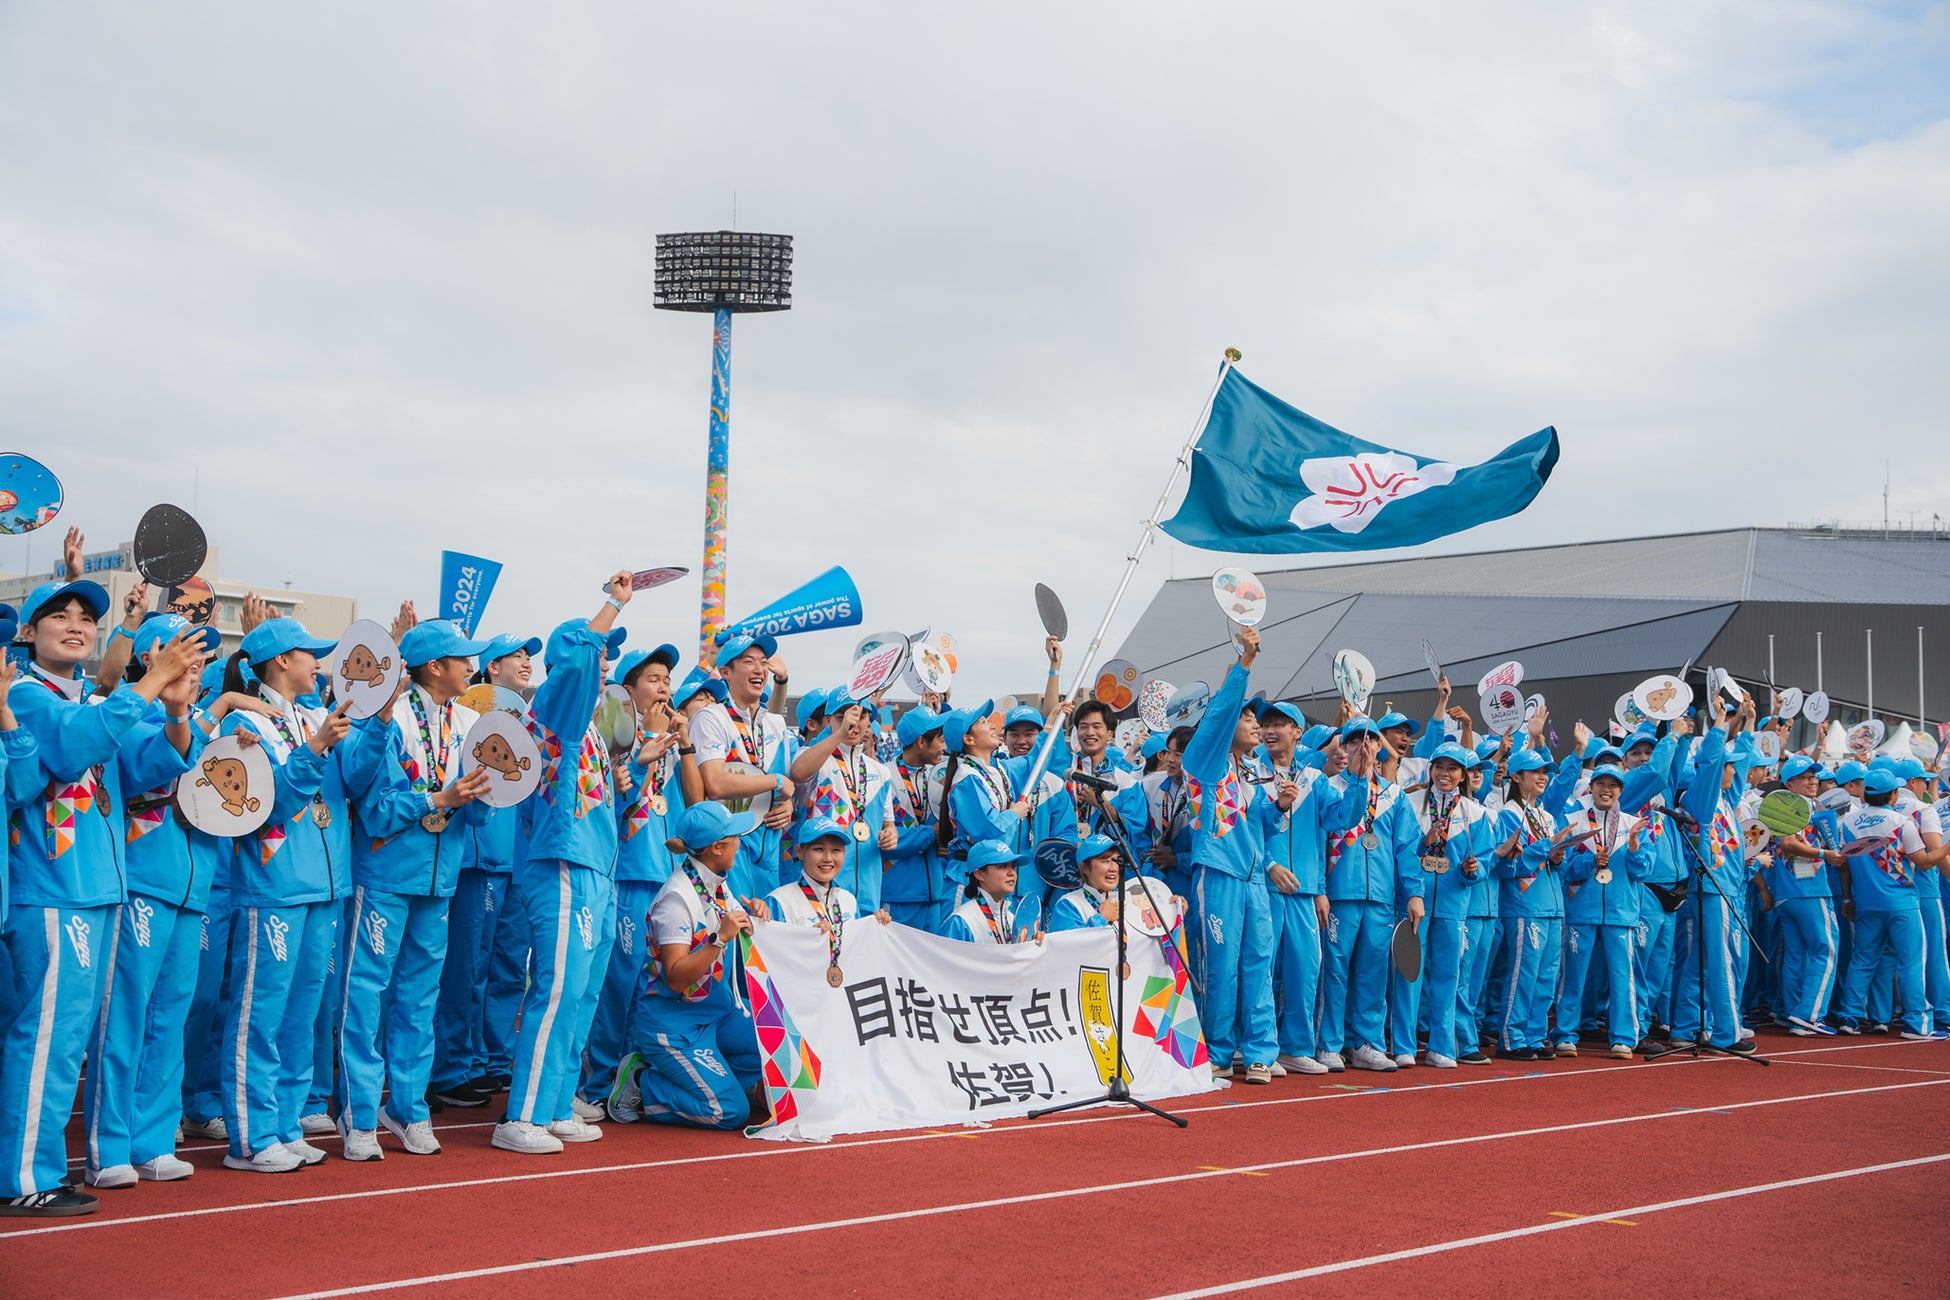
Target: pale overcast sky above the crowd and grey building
364	282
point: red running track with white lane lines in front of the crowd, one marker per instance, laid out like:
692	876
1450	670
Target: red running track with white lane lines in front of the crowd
1826	1170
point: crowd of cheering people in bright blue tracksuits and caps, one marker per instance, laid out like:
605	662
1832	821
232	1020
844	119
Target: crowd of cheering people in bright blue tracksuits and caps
389	944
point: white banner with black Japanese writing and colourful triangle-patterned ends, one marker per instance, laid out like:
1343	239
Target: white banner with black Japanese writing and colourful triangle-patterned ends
925	1032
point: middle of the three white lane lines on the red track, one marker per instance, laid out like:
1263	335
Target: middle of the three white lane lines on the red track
1066	1194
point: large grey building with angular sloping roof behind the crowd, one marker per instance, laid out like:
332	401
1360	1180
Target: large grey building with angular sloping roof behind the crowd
1586	621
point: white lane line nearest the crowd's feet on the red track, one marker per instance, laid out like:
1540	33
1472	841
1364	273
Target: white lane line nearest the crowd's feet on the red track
769	1151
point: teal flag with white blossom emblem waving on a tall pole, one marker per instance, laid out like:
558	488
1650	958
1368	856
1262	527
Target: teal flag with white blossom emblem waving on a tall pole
1272	480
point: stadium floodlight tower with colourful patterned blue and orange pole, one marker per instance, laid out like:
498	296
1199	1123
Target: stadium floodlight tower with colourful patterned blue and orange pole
721	272
